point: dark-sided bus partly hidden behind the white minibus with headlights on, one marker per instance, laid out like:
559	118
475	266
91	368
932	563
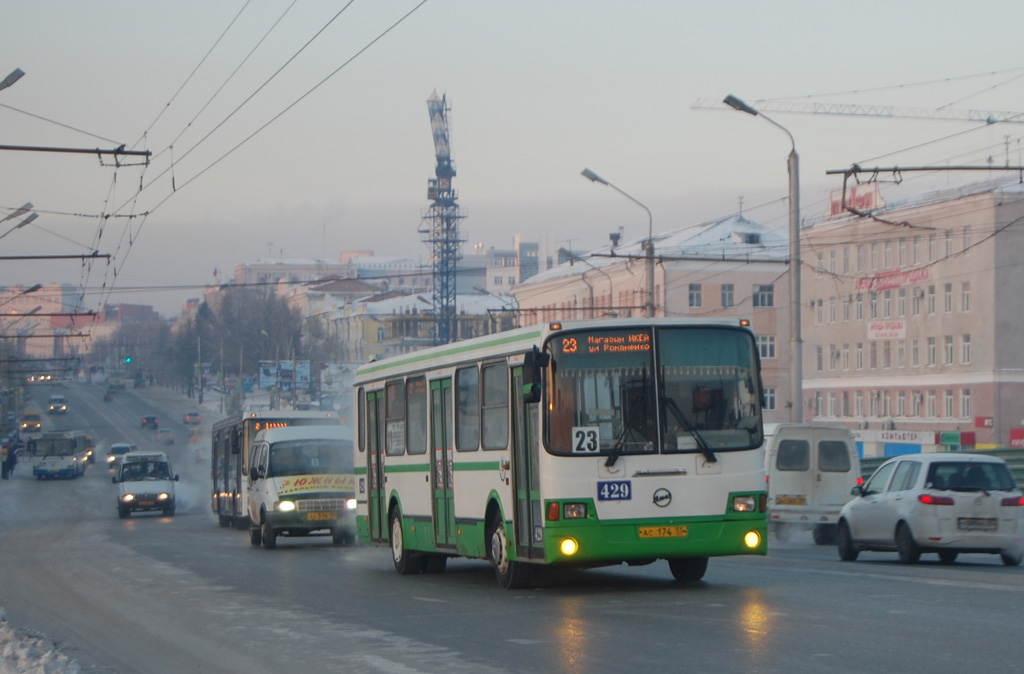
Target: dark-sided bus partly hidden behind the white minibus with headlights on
231	445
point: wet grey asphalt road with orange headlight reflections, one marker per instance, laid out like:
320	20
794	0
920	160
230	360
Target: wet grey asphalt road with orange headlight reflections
155	595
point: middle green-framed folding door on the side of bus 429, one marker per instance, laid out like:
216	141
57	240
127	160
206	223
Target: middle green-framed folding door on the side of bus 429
441	443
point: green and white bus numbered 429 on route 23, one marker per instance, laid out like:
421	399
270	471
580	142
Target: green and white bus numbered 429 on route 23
575	444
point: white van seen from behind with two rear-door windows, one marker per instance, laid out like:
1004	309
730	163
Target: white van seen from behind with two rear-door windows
812	471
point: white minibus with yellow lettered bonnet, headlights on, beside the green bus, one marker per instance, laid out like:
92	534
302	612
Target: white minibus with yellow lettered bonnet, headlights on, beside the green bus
302	481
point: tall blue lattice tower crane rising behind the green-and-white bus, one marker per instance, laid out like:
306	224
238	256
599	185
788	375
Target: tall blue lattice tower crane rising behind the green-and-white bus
440	226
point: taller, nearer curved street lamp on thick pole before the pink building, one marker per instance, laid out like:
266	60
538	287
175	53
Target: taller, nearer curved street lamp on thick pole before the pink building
796	342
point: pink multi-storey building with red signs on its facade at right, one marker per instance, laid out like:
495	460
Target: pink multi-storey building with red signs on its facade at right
914	320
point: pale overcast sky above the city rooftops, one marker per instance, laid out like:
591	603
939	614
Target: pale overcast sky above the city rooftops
336	150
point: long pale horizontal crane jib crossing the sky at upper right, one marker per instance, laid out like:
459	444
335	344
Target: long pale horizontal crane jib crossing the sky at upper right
855	110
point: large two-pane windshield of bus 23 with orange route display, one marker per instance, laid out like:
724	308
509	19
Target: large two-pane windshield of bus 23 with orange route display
652	391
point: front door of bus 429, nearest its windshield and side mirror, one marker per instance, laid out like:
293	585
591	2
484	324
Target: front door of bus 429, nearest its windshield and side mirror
529	516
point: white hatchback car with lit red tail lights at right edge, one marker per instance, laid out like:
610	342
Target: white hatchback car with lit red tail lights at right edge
946	502
